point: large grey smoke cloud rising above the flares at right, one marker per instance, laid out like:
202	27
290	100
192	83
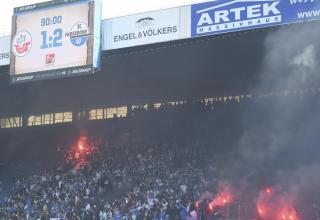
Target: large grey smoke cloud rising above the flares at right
279	143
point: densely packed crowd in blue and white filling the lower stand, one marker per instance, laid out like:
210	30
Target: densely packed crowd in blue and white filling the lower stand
135	178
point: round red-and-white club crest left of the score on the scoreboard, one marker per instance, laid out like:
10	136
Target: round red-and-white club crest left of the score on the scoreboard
21	43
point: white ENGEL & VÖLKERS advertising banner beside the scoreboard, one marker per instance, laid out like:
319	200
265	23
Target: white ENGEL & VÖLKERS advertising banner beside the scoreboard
141	29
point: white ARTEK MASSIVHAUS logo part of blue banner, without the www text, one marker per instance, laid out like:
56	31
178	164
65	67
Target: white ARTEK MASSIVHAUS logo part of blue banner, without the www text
225	16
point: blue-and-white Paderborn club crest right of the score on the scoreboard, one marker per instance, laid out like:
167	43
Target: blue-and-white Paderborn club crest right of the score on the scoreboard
79	34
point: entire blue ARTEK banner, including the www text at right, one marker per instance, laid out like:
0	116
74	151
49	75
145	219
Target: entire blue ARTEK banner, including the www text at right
222	16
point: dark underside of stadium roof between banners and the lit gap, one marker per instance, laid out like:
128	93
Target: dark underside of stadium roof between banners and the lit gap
223	65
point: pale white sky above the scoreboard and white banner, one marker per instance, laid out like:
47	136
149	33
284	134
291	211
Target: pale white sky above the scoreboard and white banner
111	8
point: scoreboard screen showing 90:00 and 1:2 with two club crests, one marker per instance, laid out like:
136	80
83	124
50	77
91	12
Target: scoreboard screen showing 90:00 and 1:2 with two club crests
55	39
